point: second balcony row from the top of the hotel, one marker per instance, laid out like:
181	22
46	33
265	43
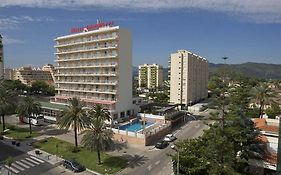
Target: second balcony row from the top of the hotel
86	49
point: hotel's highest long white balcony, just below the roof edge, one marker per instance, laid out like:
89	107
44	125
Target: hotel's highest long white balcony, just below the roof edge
86	41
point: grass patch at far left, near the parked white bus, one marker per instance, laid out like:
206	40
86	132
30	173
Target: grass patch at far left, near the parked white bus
18	133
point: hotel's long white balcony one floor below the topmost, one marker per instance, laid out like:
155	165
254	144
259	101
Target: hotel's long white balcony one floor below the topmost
86	49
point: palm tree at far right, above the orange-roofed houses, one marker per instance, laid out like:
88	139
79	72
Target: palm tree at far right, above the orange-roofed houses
262	93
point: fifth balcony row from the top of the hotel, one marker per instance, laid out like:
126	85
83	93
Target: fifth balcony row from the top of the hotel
87	74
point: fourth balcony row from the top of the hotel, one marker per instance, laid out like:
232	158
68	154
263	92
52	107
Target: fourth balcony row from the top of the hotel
86	65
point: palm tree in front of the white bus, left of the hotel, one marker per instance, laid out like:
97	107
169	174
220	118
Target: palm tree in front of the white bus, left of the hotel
28	107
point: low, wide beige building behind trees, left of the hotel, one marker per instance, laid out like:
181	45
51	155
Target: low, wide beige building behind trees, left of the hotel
27	75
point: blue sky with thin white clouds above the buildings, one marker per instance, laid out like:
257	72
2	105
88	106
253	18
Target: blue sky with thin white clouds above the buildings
245	31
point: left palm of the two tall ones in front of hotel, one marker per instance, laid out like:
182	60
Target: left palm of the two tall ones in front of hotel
74	116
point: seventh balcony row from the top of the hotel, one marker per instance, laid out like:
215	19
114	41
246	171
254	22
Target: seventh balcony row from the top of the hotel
89	90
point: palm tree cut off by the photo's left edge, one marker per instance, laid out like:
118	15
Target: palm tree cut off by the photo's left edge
6	102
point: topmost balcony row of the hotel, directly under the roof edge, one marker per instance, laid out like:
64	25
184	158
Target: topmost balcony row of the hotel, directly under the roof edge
86	40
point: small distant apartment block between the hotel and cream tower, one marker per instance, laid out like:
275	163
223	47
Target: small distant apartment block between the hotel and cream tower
150	76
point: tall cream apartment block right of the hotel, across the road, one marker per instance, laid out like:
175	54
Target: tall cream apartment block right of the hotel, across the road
188	77
